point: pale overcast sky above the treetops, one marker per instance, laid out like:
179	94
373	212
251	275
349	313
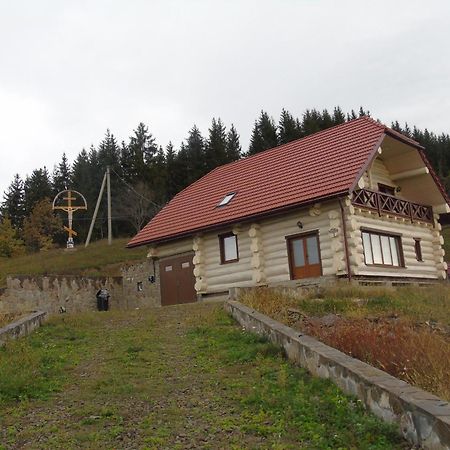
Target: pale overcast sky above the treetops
71	69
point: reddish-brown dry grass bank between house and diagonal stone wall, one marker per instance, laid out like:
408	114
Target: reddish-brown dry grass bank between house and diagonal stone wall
400	330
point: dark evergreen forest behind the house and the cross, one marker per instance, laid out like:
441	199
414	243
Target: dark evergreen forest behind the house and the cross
145	175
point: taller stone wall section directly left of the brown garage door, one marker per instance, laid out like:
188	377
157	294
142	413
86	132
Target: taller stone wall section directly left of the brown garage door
141	284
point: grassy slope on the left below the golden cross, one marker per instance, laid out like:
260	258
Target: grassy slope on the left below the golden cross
95	260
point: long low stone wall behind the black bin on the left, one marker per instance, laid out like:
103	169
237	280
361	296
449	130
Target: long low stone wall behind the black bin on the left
73	293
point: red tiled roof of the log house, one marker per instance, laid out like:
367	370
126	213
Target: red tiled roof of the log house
319	166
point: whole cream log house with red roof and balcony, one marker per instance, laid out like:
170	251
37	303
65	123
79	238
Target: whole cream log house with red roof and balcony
358	200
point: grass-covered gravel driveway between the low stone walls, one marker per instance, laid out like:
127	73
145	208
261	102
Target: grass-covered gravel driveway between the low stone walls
180	377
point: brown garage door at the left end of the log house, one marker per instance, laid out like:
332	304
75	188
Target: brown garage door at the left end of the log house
177	280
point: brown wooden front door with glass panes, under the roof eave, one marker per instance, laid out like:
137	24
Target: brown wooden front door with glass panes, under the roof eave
304	256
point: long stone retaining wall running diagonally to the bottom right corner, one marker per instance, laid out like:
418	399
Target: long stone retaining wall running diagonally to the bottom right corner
424	419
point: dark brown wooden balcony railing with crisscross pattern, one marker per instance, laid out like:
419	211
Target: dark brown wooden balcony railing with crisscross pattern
385	203
